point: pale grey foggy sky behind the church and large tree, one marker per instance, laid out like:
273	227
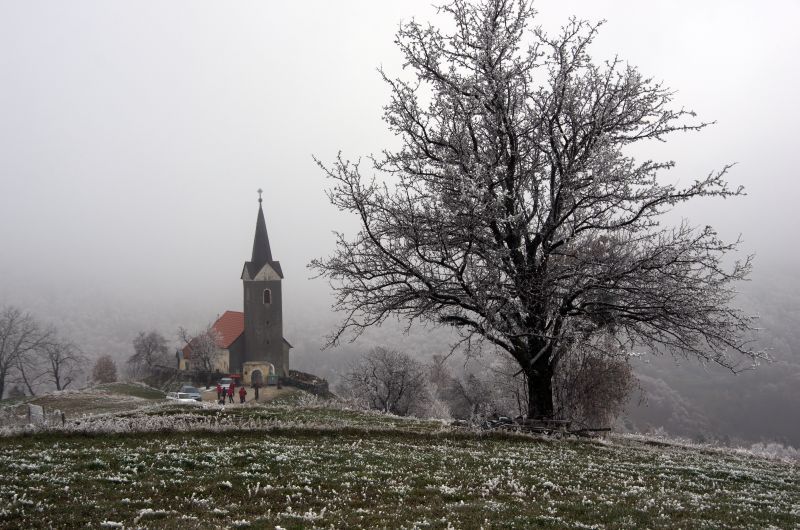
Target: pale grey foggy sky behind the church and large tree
134	136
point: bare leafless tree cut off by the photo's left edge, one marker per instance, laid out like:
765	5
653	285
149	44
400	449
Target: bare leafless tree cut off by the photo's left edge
20	337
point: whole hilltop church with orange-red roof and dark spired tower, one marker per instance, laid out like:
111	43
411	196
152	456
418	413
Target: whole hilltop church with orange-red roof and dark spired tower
251	342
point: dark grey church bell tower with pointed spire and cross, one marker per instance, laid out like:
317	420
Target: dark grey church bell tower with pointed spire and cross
263	314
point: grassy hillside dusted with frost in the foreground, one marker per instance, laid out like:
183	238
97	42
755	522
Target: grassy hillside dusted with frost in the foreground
298	462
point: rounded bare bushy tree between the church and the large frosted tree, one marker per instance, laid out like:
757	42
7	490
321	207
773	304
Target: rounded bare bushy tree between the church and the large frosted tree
387	380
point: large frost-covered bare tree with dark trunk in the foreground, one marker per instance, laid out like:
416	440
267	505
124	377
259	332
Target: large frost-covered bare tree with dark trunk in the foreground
514	212
